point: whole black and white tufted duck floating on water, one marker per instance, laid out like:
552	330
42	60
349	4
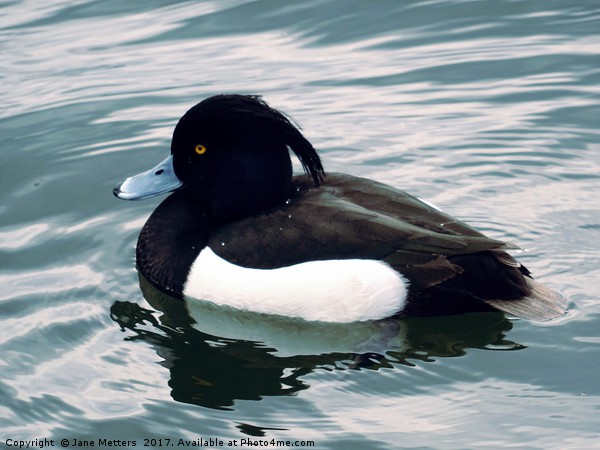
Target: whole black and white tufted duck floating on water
240	230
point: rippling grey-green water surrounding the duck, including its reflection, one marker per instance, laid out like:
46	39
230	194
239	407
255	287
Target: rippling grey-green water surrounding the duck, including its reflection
487	109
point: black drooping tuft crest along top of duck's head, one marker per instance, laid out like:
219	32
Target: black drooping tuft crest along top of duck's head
236	107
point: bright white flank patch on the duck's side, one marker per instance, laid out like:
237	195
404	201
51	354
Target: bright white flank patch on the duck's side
340	291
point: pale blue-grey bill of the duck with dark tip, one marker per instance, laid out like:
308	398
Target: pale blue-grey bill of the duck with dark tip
156	181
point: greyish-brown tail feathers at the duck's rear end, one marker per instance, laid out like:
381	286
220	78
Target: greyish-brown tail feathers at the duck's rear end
542	304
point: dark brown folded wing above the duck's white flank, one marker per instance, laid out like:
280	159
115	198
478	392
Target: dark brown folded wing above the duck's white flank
350	217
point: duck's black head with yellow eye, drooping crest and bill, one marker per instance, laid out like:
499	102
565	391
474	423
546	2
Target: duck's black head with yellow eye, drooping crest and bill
230	154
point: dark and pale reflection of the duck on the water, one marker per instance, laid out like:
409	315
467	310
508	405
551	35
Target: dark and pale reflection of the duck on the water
216	356
